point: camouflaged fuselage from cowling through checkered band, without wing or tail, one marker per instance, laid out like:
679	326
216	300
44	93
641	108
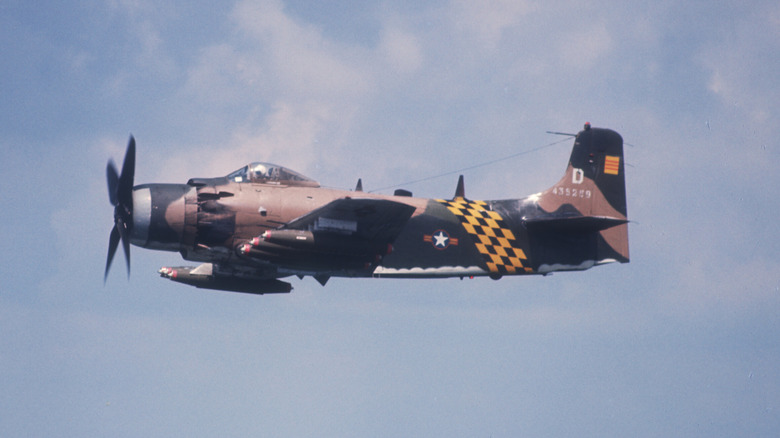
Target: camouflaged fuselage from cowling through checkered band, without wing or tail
210	221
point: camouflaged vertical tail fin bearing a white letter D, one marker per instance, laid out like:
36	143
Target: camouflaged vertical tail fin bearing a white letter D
591	196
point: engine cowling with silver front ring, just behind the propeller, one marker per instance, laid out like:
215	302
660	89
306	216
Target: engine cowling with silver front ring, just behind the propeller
158	216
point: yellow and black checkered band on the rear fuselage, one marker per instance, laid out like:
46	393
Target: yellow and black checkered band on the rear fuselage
492	237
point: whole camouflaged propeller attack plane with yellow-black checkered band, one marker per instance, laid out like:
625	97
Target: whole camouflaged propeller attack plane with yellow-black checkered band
264	222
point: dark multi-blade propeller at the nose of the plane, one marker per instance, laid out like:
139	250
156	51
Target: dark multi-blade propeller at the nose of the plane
120	194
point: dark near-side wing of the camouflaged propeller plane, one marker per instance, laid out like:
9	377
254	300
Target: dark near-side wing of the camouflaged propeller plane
375	220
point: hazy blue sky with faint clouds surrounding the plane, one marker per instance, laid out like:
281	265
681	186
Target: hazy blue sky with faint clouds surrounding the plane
682	341
